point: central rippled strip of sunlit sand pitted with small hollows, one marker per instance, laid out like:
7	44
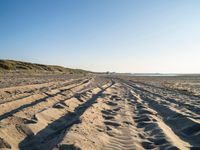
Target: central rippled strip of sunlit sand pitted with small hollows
119	122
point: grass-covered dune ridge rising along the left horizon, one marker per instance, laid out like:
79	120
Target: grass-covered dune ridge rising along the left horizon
11	65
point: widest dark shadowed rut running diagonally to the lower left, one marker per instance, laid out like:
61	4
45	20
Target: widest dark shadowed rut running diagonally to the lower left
56	130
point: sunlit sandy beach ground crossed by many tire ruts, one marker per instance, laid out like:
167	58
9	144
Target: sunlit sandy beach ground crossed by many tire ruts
96	112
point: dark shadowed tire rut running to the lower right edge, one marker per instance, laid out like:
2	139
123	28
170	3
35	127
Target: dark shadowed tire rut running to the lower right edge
172	118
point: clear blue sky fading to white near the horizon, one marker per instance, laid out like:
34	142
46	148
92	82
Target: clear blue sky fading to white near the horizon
135	36
